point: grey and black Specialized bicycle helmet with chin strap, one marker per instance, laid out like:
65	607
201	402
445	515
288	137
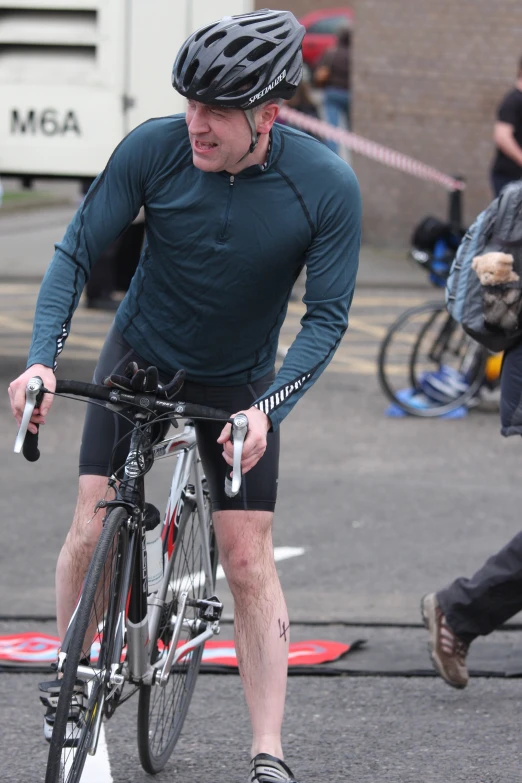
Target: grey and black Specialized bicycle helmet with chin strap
242	61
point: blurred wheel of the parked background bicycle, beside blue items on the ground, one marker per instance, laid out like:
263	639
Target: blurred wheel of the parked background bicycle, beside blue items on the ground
427	365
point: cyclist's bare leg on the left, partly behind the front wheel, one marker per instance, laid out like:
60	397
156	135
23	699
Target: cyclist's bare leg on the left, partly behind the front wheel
78	548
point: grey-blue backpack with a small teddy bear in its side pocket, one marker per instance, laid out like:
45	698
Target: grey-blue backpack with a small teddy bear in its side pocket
489	307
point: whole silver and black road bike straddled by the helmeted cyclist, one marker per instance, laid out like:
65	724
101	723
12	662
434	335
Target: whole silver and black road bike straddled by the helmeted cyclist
147	606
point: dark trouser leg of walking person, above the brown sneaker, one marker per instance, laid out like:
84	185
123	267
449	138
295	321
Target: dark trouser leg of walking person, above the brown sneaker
475	607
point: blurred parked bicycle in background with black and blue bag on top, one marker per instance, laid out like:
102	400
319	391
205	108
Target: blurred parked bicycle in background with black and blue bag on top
427	365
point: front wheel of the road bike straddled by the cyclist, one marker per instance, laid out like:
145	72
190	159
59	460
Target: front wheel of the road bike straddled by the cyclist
104	578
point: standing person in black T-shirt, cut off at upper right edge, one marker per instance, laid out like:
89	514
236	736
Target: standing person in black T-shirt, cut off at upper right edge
507	135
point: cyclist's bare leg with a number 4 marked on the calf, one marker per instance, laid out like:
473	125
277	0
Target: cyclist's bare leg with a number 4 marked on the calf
261	620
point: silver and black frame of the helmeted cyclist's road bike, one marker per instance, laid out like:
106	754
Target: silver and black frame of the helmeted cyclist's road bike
139	613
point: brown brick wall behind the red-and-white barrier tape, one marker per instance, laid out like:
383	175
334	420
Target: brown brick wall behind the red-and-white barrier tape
427	79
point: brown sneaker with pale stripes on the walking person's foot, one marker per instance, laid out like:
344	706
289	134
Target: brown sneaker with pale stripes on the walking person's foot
448	651
